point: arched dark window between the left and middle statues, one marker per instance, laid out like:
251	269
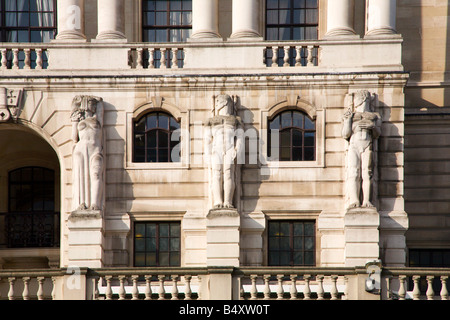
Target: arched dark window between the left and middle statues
154	140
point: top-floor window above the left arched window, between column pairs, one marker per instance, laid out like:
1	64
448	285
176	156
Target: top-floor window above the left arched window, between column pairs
166	21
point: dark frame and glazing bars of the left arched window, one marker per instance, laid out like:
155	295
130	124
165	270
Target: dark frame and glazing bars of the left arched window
158	130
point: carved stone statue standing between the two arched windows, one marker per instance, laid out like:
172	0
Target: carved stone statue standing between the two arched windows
224	142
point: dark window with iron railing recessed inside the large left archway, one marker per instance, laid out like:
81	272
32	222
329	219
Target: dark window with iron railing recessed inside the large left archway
31	220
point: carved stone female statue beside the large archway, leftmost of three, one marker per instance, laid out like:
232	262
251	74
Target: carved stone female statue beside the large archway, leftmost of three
88	153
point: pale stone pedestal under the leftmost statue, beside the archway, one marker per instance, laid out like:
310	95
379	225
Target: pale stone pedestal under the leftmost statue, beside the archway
85	242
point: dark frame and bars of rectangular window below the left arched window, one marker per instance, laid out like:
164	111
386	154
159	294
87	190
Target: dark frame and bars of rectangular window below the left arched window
157	243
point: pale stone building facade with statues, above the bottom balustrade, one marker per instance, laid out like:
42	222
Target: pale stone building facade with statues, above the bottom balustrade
329	150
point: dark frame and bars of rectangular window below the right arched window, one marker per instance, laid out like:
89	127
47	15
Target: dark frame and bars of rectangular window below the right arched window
291	236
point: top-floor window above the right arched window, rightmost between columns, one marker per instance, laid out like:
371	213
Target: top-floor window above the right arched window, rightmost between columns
291	19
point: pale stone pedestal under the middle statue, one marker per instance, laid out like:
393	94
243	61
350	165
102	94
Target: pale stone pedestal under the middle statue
222	238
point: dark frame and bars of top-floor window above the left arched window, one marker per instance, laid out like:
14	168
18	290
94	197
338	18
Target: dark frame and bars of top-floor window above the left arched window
168	27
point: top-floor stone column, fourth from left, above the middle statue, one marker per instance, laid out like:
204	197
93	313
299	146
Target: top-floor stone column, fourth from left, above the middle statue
245	19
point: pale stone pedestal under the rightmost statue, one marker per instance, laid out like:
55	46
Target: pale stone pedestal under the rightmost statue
361	230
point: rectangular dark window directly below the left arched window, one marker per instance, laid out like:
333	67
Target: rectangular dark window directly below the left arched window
157	244
